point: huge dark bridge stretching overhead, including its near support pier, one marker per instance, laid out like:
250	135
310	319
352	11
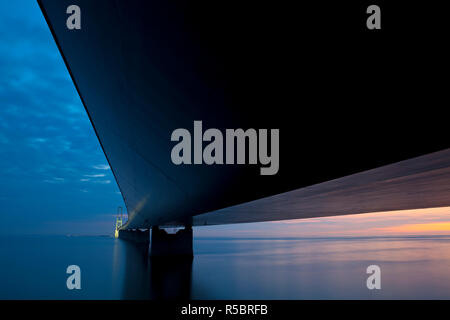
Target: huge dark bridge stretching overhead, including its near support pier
349	142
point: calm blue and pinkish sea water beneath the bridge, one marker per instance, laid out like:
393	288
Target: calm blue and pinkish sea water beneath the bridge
34	267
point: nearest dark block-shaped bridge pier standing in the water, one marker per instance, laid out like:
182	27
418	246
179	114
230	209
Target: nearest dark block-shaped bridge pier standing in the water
163	244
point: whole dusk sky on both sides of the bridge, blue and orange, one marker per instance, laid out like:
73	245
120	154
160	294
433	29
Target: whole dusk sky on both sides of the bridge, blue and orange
54	177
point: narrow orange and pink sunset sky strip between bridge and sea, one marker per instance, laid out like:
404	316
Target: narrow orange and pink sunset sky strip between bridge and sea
434	221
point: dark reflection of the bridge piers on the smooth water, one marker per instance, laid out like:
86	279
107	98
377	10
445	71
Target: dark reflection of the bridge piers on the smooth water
146	278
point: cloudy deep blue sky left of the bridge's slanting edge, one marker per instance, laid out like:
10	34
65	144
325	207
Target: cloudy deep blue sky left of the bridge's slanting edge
54	177
